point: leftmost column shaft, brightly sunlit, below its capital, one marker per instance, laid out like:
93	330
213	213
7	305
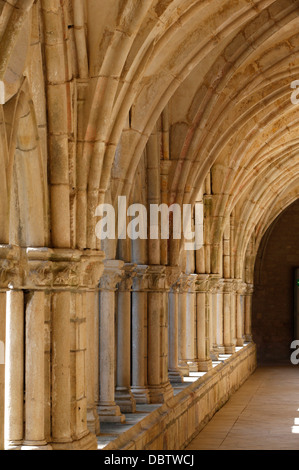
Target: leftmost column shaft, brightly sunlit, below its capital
14	370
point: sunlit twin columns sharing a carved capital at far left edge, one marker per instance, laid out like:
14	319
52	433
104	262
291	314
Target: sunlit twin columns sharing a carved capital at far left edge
25	350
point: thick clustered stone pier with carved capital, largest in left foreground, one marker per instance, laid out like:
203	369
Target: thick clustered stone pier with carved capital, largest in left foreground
74	284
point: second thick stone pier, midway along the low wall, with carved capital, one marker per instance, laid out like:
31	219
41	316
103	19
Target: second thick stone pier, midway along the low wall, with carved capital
159	386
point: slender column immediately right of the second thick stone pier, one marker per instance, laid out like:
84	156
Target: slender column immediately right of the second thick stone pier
174	372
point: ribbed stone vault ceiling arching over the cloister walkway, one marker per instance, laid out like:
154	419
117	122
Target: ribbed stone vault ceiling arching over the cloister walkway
221	70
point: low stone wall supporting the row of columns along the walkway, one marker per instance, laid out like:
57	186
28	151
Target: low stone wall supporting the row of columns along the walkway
177	422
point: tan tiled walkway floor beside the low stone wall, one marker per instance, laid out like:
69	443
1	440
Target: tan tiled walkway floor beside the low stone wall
262	414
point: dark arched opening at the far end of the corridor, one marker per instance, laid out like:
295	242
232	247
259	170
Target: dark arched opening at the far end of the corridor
273	303
